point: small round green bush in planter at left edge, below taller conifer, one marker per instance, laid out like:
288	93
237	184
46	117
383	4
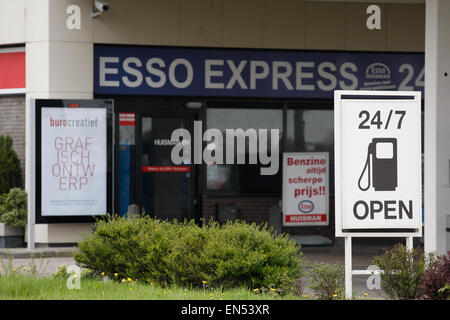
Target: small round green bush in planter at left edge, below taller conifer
13	208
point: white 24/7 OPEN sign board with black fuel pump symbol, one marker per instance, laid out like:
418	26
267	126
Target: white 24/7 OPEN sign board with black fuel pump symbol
378	160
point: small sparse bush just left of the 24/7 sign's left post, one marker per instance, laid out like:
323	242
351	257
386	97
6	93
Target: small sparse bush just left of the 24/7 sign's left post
327	281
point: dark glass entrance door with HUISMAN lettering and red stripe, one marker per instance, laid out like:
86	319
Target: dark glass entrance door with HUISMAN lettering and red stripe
167	191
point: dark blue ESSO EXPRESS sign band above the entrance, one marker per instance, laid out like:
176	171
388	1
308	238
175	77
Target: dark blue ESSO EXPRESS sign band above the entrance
141	70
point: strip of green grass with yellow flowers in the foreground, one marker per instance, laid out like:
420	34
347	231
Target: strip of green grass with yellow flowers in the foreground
23	287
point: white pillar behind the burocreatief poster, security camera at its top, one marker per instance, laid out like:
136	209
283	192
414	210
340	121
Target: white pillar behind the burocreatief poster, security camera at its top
59	65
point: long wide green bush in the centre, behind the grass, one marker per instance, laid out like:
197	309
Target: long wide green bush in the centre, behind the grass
231	255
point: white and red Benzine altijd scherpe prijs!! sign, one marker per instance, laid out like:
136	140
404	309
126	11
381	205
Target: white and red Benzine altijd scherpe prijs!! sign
305	189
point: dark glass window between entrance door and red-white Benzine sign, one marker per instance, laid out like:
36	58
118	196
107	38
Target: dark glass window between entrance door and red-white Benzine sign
244	177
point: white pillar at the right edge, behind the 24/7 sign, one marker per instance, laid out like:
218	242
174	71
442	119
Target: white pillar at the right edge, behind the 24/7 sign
437	128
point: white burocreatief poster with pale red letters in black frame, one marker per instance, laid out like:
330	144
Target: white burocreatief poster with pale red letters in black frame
74	161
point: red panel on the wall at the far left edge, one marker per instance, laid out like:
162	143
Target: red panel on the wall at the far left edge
12	70
